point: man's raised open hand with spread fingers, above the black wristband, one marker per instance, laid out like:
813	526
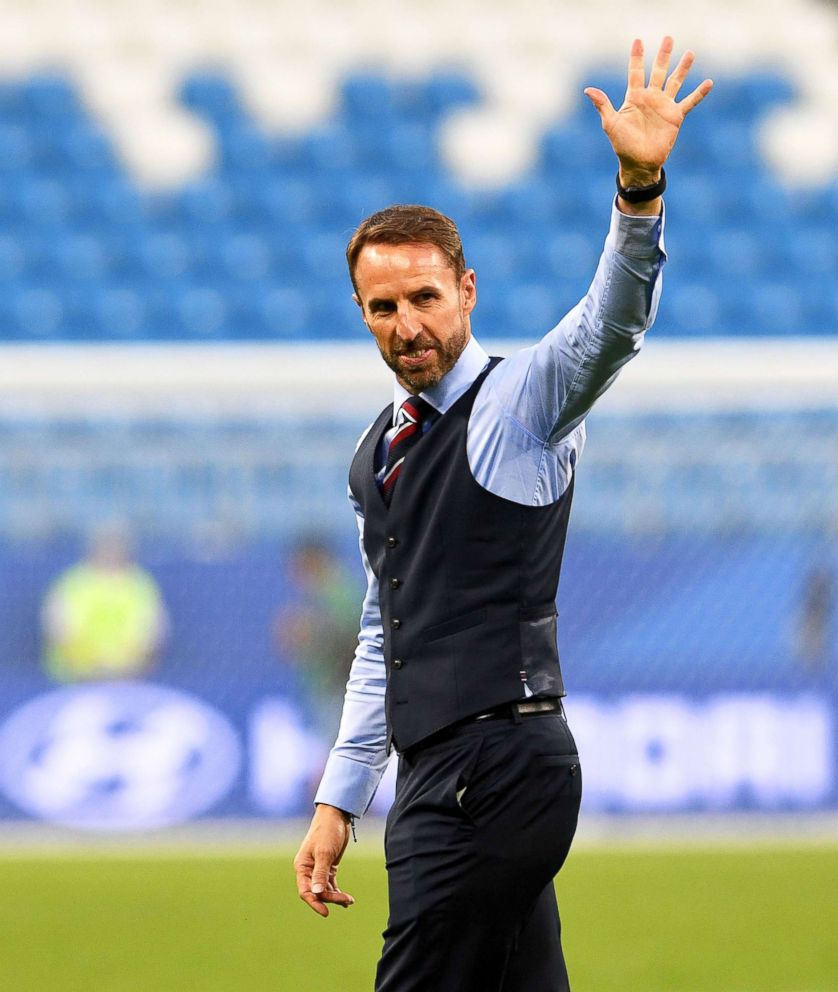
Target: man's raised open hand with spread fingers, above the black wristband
643	131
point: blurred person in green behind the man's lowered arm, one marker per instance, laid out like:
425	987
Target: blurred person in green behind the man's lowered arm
318	629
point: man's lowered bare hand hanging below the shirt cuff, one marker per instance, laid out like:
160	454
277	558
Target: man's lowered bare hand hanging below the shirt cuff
316	862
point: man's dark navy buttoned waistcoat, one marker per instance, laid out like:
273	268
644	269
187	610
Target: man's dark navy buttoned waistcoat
467	581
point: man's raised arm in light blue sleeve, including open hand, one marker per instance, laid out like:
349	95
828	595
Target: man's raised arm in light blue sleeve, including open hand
540	396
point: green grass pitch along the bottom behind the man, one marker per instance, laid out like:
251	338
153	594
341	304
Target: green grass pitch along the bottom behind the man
636	919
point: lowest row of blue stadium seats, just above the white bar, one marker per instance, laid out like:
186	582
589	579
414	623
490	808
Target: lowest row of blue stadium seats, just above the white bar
286	312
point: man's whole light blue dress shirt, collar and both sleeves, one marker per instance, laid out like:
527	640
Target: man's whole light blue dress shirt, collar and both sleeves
525	435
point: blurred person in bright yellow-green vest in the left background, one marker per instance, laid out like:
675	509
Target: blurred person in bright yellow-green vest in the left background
104	617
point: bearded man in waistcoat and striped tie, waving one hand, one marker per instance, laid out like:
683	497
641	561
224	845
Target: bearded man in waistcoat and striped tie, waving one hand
462	490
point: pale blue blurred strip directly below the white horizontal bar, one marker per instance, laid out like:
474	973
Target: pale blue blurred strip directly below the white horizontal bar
698	474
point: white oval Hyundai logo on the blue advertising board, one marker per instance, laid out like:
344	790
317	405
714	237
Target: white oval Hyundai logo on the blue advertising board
117	756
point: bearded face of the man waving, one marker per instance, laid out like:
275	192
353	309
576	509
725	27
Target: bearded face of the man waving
416	309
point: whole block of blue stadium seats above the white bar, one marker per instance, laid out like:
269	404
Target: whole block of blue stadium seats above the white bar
254	249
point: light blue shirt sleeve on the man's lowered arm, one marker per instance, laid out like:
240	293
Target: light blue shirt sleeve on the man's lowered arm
358	759
